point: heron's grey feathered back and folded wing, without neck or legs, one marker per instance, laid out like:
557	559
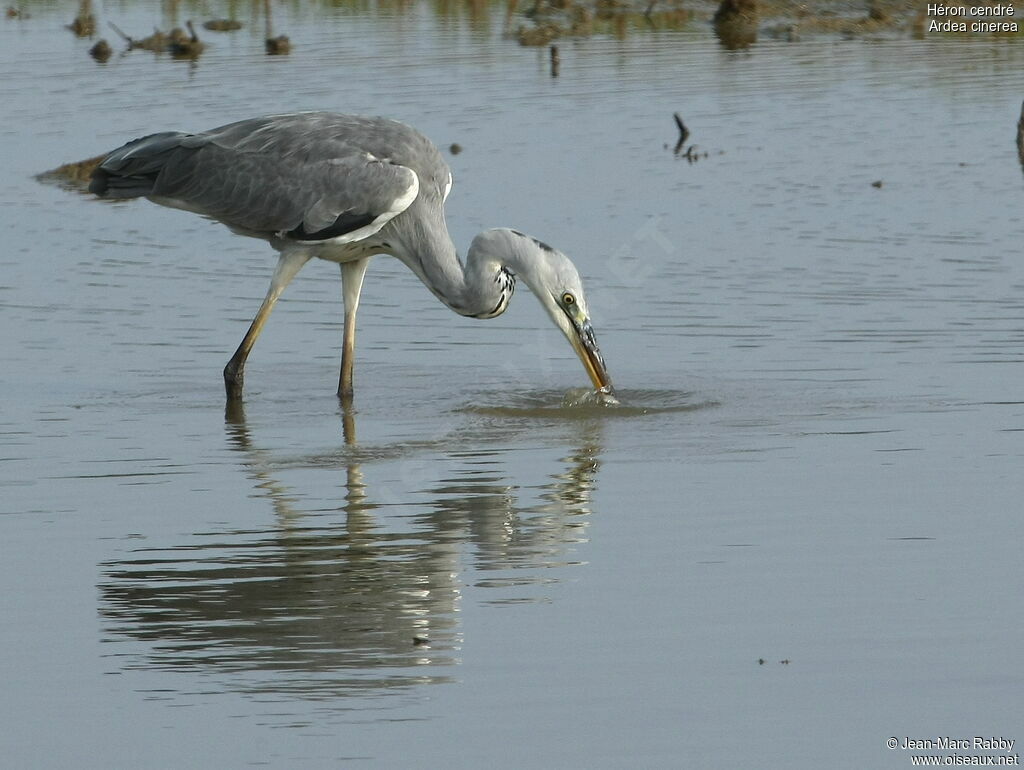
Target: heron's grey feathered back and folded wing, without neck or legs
312	177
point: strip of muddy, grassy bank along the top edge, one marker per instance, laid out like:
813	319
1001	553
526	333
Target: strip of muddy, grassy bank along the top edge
738	24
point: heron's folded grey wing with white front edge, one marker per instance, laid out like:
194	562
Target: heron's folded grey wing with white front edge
277	189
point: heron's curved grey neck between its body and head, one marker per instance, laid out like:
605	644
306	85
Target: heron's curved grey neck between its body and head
481	288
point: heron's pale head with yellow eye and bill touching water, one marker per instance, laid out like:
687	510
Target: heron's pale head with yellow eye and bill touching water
556	282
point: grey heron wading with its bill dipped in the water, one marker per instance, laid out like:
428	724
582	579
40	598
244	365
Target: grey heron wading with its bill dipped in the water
344	189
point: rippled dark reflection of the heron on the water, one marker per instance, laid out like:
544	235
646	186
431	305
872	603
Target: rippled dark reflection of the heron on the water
337	594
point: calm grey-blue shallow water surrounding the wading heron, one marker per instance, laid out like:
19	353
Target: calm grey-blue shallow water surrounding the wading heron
818	461
